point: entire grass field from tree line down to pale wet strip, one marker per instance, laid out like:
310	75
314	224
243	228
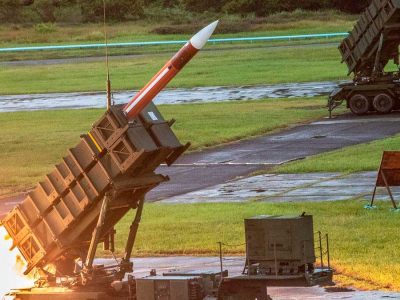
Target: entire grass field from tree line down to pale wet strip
219	64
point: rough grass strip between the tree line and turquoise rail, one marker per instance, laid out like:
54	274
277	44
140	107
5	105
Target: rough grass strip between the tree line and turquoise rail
297	22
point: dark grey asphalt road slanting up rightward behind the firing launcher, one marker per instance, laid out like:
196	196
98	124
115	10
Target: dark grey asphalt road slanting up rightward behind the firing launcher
210	167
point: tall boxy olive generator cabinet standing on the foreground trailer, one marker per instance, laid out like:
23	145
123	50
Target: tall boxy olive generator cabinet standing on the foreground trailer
279	245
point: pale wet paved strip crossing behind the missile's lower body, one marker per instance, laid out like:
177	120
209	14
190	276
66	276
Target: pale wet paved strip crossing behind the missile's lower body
31	102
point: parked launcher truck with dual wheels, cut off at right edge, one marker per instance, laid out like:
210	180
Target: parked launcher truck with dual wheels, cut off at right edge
372	43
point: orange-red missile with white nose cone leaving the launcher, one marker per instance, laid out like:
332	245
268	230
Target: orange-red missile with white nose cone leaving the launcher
169	71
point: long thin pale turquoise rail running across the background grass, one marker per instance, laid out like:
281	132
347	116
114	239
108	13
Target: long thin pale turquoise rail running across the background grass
157	43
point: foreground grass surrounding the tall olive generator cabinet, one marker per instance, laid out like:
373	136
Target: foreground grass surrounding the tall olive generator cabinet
362	247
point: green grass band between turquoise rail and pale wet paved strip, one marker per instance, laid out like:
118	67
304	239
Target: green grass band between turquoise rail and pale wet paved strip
247	66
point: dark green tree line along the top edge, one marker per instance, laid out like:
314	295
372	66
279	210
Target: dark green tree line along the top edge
92	10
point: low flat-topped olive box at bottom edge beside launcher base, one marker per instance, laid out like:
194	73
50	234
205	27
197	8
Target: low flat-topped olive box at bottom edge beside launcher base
169	288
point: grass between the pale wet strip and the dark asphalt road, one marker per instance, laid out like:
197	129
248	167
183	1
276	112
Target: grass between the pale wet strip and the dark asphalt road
32	142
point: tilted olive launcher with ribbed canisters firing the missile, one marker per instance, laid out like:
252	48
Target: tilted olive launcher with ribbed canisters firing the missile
78	204
